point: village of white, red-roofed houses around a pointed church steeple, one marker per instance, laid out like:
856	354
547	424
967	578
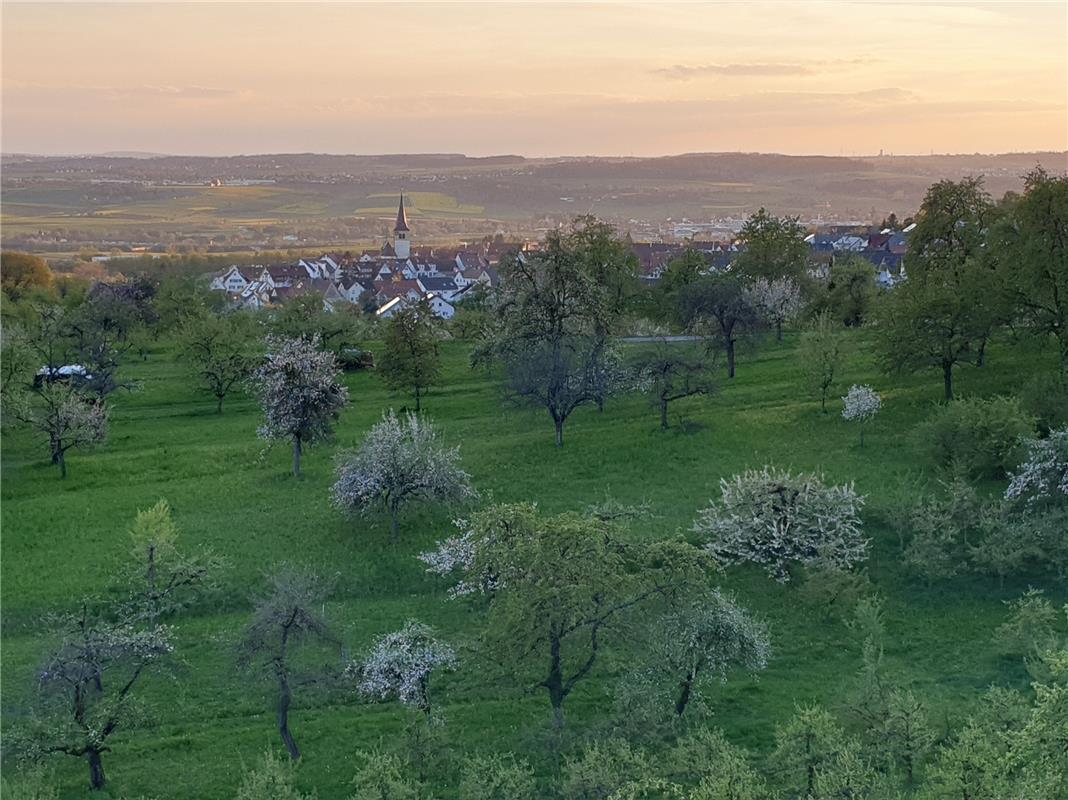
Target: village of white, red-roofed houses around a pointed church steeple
399	275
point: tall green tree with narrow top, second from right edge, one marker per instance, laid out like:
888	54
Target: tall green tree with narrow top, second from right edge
944	313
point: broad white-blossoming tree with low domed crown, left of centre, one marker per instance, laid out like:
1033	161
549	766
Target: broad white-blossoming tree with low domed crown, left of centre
400	462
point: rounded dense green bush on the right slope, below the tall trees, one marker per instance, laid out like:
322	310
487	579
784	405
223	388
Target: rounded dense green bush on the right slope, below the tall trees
979	436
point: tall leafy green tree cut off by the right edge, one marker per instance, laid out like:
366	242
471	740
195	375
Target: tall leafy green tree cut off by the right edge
1030	243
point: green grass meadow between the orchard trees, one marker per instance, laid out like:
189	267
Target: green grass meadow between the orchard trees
64	540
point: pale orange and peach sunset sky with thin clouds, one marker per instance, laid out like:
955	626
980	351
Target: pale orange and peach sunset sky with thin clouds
535	80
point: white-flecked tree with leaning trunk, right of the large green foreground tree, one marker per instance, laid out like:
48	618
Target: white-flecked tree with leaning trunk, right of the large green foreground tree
702	642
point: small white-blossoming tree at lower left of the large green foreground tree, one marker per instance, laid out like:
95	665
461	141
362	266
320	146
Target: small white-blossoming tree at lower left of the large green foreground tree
401	665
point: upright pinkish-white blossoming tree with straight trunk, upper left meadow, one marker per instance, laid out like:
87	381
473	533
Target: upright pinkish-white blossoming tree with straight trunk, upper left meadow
300	390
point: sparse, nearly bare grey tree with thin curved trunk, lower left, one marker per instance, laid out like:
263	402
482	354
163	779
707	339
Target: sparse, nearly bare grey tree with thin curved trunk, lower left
286	620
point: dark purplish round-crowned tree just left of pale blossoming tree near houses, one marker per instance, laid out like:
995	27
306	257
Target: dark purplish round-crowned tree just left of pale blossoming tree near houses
718	307
